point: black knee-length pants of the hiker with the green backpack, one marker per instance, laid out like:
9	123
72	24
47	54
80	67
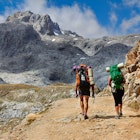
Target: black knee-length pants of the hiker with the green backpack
118	97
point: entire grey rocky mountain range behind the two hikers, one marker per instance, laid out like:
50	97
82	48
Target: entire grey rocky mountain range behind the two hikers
33	50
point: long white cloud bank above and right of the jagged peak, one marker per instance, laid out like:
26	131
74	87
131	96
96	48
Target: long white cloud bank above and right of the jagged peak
81	21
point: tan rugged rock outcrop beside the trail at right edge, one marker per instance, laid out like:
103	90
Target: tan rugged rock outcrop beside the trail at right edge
133	76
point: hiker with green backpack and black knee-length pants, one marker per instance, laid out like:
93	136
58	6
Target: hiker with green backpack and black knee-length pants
117	89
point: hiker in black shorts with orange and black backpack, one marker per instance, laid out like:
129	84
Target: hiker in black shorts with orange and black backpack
82	87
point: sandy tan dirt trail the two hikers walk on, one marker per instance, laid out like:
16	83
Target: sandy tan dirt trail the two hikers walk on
64	122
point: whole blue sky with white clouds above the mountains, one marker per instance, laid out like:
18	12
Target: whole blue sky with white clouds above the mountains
88	18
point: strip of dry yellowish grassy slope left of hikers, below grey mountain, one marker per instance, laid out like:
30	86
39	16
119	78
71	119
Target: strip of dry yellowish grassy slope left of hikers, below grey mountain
29	93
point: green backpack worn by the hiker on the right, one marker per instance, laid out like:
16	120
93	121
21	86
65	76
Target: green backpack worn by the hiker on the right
116	76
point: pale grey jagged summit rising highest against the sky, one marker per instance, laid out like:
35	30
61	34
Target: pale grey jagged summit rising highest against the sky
42	24
